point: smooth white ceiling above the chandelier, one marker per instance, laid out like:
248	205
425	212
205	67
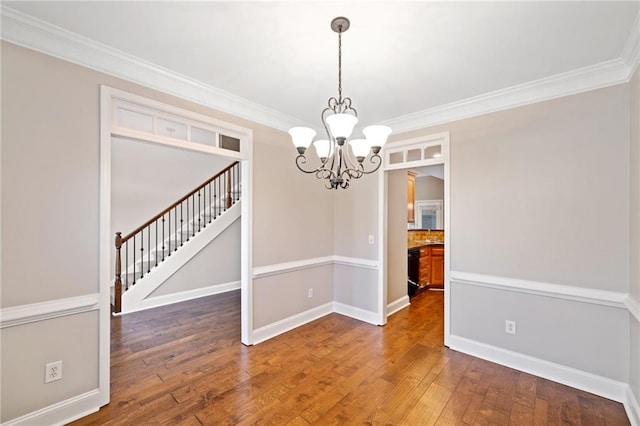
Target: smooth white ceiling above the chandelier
398	57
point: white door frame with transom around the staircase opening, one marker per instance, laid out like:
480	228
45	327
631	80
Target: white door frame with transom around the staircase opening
125	116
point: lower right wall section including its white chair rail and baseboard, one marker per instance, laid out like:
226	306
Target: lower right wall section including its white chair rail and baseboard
575	336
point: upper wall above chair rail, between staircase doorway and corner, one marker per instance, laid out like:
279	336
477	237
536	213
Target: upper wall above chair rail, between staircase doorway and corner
293	213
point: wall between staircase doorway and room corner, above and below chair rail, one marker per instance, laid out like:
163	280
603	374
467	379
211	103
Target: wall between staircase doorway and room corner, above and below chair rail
292	220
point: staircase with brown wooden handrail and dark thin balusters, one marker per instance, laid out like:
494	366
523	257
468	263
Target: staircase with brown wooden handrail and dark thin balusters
170	236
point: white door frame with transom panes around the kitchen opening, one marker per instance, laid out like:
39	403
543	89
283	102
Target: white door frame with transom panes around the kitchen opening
421	153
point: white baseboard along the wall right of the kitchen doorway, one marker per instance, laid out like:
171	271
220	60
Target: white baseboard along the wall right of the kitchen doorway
578	379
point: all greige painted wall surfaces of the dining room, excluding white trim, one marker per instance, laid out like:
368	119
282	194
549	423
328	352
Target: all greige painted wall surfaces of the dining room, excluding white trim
564	160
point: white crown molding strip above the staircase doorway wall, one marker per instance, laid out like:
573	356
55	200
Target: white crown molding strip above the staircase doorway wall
26	31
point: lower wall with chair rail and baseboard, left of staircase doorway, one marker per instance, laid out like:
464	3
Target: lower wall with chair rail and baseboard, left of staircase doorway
32	340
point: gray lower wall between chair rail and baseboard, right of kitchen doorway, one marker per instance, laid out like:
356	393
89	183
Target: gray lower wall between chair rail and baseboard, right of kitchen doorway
587	337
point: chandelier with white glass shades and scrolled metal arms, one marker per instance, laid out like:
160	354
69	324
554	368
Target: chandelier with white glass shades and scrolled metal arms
341	158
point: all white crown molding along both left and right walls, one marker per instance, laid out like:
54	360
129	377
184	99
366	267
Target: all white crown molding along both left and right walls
32	33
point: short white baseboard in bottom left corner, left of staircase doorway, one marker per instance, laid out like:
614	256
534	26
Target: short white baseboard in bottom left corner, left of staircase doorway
62	412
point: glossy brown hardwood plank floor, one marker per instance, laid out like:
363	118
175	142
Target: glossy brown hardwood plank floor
184	365
